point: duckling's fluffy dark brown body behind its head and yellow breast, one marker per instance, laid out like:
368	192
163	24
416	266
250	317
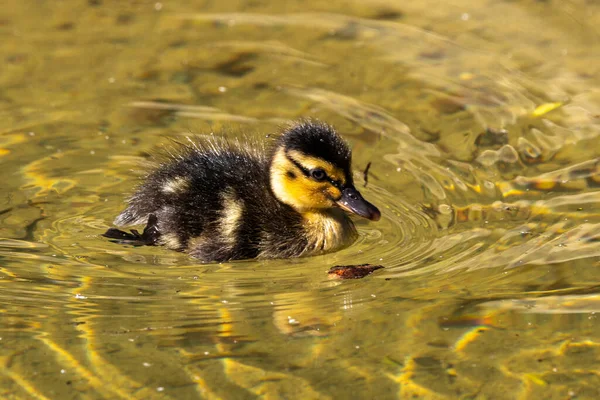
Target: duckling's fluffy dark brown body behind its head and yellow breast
214	201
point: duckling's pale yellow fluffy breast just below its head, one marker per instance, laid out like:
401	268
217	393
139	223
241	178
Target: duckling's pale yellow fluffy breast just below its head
328	230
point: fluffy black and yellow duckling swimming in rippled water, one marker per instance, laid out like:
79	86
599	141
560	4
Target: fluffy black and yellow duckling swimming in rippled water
220	201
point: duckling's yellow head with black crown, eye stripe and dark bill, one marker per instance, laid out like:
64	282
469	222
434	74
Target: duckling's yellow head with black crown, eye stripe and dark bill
311	171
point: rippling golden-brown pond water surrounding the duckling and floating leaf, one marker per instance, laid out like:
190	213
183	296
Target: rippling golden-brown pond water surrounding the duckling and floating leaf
480	119
